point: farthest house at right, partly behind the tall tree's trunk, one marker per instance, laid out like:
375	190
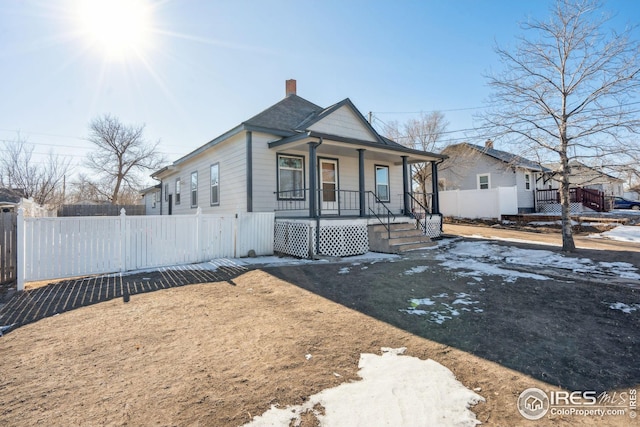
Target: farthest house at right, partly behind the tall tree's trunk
584	176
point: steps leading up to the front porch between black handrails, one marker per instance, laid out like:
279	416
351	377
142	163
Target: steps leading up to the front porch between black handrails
403	237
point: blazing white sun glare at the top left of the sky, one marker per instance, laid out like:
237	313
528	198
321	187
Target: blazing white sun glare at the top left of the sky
119	28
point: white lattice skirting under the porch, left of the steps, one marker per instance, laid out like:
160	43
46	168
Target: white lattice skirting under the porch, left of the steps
337	238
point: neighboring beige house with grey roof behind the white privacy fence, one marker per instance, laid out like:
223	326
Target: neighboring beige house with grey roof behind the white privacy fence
475	167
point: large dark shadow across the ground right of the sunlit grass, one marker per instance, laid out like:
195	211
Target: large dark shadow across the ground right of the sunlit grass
559	331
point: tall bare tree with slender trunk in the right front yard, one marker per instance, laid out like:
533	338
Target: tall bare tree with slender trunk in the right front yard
569	90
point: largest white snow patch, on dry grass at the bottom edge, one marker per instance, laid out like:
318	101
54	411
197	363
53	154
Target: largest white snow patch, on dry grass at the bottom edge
395	390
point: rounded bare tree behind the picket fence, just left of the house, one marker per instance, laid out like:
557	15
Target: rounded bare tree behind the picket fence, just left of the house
120	157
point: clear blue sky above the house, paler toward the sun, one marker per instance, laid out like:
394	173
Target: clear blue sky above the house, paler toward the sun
202	67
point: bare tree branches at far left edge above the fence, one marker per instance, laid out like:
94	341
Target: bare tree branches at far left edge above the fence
41	180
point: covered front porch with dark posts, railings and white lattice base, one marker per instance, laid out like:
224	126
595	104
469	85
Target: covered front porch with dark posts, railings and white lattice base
334	191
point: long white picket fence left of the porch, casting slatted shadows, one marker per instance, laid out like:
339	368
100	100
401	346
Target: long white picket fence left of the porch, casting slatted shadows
54	248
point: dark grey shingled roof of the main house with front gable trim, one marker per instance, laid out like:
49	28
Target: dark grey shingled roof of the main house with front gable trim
291	119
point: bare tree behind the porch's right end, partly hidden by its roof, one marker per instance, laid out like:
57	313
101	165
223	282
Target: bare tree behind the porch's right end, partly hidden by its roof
422	133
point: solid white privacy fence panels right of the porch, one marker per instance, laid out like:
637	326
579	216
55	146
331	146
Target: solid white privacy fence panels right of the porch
489	203
